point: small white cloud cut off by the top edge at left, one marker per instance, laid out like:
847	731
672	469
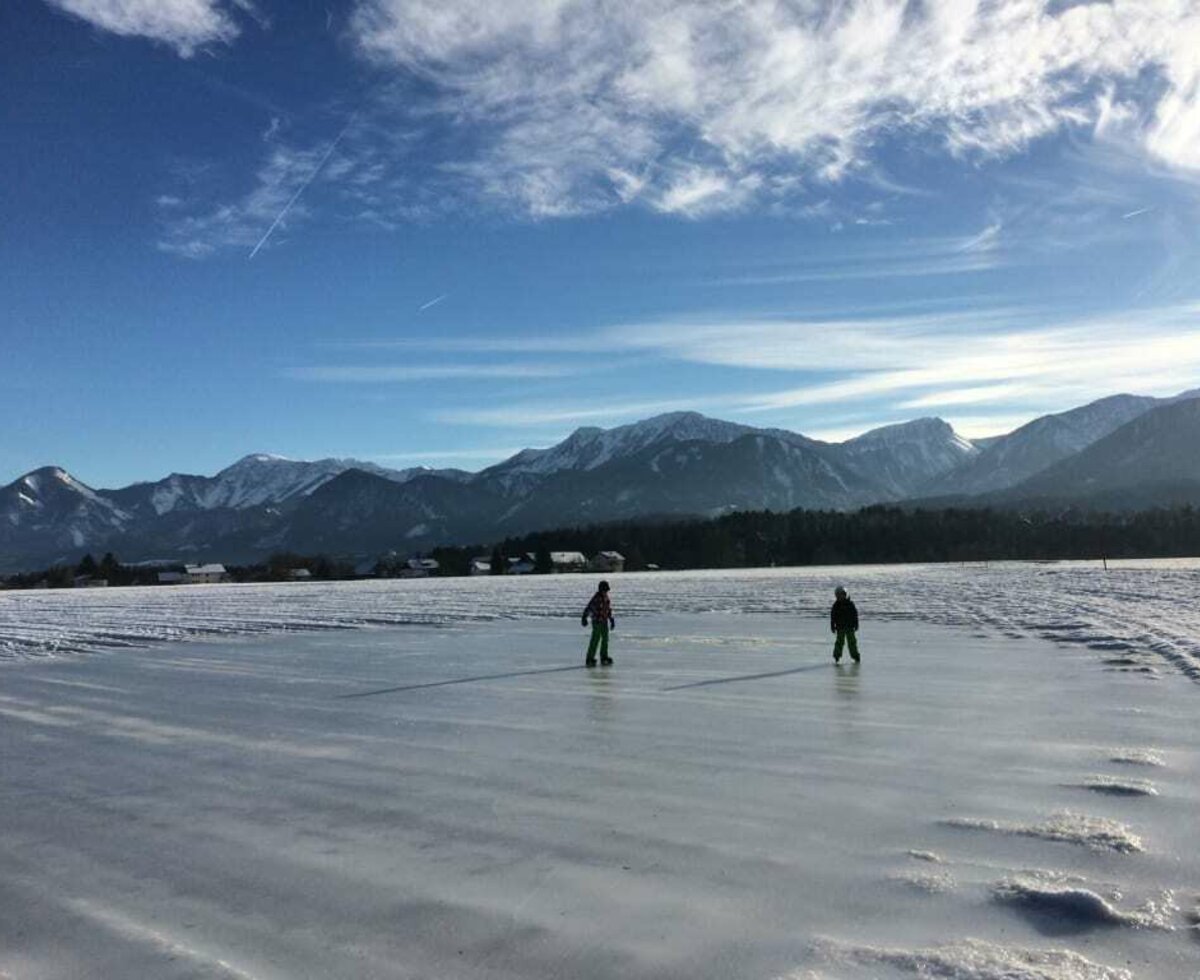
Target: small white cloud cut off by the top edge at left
183	25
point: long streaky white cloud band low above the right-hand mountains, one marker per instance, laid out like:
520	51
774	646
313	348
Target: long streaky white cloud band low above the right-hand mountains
974	364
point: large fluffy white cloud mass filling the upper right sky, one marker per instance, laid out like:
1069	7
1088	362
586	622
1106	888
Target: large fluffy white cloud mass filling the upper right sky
703	107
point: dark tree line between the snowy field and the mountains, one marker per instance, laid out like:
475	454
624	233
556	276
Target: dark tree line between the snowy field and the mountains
754	539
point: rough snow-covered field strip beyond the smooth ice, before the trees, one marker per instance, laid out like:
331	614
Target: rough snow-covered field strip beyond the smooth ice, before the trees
1144	611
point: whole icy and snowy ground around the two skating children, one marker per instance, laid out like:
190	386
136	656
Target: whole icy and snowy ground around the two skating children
1006	790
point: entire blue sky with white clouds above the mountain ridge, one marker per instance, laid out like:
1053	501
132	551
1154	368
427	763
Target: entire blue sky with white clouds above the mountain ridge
440	231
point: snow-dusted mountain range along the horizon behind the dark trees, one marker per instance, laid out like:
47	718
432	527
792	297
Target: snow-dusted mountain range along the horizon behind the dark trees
1124	448
